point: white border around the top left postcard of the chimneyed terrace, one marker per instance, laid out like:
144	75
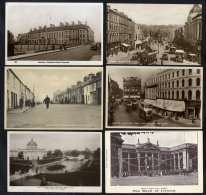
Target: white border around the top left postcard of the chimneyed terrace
55	62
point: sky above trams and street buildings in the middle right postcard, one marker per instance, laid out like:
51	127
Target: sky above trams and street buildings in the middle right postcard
117	74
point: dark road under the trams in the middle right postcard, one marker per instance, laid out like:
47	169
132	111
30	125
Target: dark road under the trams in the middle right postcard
123	118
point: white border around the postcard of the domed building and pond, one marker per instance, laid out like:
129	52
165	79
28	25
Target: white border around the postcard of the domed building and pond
91	189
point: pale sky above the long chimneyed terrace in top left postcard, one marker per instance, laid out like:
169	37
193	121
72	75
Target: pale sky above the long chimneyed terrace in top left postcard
24	16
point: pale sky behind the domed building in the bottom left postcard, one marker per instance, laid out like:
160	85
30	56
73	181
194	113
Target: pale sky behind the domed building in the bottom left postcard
51	141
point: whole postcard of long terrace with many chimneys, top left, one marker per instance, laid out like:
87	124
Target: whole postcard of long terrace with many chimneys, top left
71	33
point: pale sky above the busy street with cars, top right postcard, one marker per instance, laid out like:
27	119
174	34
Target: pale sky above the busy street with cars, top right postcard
160	14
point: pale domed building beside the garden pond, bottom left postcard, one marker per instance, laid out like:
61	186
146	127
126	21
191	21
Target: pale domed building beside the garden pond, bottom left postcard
31	152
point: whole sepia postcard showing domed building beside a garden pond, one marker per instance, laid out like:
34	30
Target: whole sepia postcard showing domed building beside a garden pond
72	163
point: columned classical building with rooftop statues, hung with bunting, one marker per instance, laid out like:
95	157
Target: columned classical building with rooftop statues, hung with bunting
142	157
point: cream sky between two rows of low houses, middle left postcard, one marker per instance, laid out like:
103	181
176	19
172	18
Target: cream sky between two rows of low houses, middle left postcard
47	81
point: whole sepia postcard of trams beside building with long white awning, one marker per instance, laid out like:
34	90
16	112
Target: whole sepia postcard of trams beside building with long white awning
148	97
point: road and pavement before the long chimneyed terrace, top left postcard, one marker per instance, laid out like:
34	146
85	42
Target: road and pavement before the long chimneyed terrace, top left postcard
78	53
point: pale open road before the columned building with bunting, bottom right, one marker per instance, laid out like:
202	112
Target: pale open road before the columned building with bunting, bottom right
157	180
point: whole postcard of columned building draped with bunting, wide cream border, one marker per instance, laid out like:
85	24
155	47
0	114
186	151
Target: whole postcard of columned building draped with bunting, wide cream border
156	161
